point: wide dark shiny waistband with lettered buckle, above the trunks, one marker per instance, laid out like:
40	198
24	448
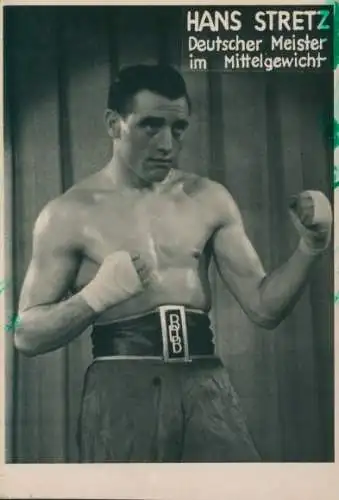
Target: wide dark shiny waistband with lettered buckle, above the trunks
170	333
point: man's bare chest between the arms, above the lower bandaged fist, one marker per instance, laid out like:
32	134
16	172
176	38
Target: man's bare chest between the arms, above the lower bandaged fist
165	230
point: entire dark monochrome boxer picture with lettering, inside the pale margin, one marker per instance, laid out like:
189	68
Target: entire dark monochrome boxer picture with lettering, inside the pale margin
169	257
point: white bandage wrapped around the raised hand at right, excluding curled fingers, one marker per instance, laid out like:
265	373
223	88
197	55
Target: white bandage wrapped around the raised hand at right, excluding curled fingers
316	238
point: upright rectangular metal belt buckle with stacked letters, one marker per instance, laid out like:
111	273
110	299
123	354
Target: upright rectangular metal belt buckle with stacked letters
174	334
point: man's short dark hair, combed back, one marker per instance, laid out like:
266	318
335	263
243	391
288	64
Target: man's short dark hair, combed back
161	79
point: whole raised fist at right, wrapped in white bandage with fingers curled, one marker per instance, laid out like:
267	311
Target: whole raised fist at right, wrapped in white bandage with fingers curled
311	214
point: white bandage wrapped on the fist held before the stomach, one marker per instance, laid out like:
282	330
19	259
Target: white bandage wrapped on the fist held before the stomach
116	281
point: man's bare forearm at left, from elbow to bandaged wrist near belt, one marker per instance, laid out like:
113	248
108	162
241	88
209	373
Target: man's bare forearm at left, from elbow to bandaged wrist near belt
48	327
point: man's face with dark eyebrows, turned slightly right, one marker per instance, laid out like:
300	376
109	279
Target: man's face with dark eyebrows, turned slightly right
151	135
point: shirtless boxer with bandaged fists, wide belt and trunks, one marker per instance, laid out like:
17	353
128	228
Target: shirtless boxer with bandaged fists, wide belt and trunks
132	240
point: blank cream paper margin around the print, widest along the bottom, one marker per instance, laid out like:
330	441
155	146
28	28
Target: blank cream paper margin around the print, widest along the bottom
168	482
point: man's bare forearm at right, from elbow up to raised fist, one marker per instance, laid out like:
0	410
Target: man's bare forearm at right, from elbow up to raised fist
280	290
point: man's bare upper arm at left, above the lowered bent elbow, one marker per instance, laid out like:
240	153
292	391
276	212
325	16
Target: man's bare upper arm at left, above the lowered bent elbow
55	259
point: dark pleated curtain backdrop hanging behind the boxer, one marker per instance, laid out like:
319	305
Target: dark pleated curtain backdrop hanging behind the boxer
264	136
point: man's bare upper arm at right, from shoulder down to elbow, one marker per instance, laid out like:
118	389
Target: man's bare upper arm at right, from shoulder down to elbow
236	259
